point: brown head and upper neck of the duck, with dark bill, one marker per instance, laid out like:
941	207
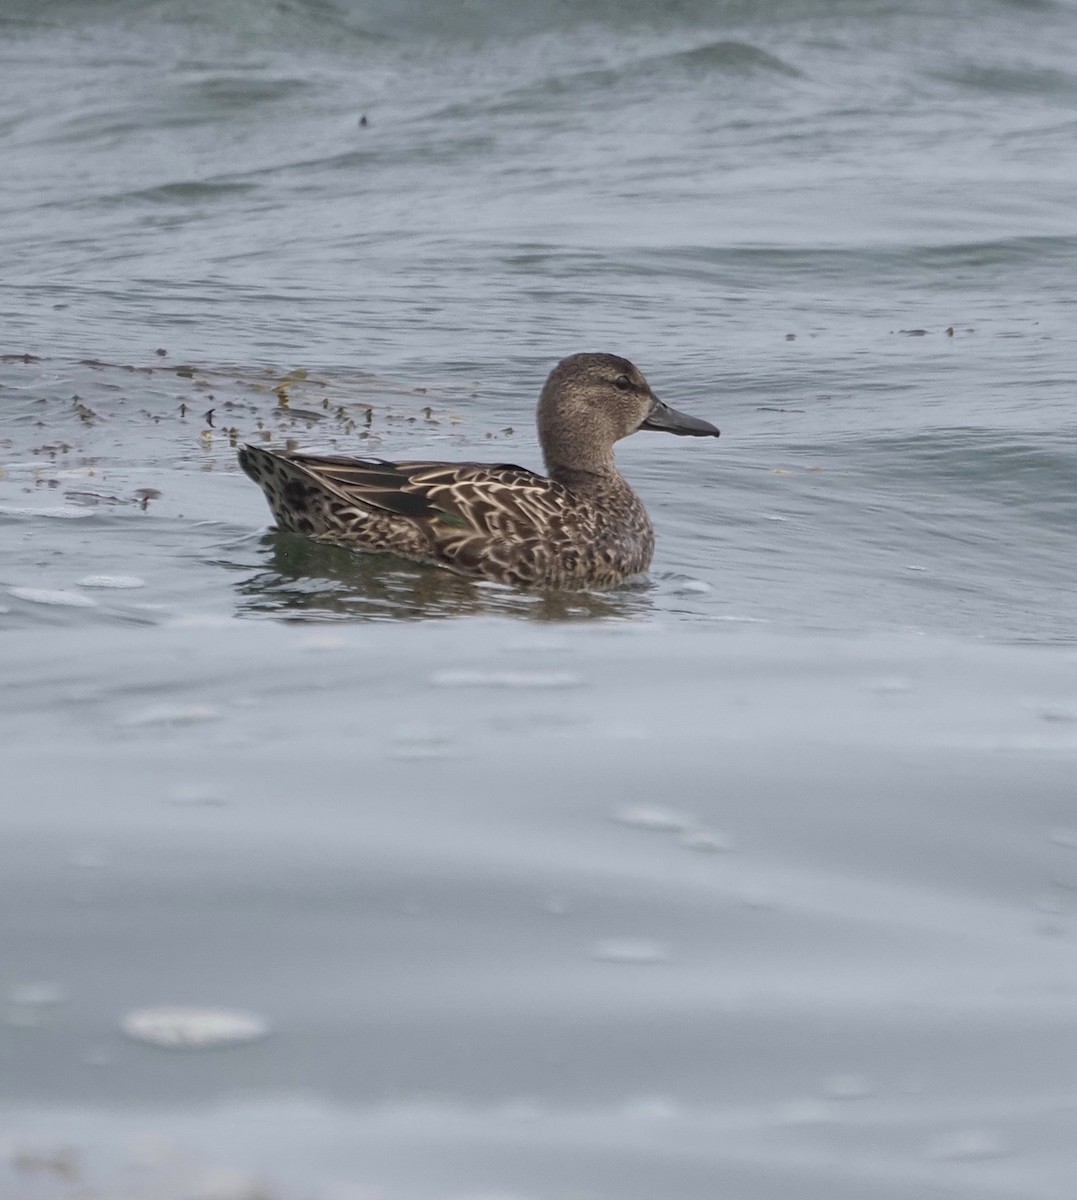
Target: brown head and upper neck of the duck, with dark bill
591	401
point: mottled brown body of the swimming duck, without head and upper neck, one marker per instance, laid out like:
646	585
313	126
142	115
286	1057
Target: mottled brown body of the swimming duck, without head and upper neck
498	521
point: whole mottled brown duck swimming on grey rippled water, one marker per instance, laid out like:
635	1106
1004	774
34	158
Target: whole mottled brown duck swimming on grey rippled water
582	527
